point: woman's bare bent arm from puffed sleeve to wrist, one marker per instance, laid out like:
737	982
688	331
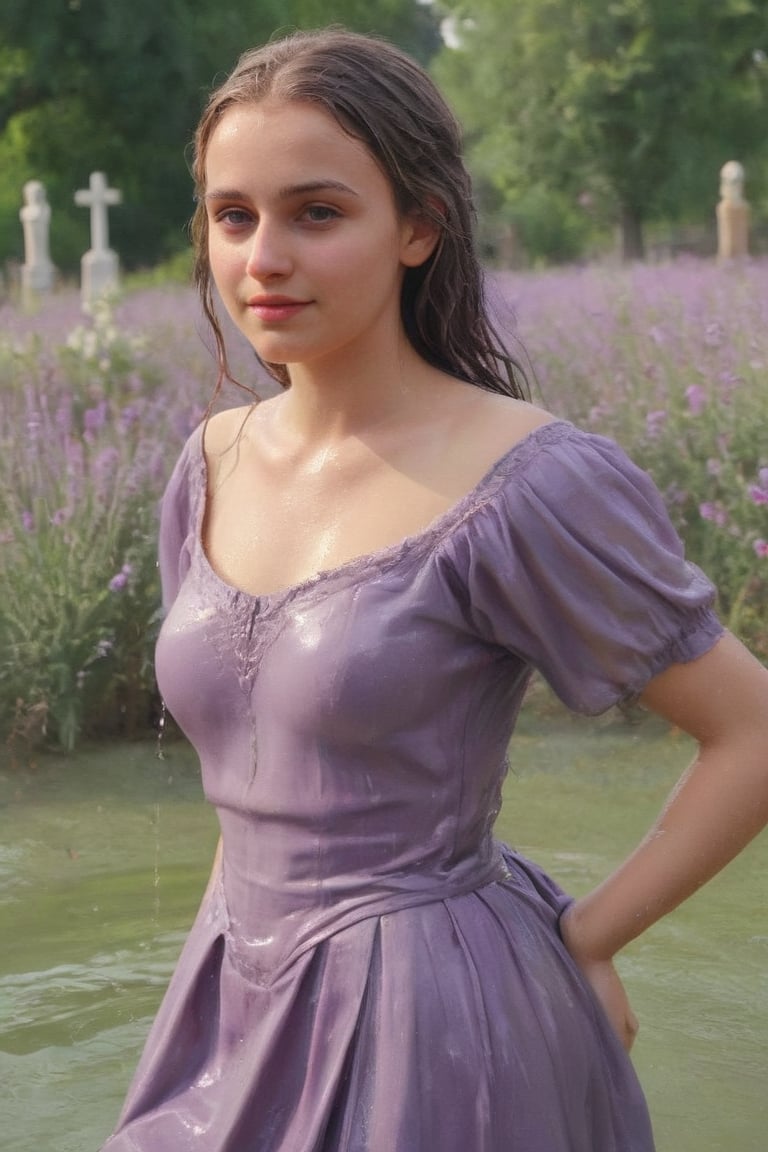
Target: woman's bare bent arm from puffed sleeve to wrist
718	807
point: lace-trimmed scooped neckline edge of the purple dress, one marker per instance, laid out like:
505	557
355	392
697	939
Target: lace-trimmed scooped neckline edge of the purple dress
379	560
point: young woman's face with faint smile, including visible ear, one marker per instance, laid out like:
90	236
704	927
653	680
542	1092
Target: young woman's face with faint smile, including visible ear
306	244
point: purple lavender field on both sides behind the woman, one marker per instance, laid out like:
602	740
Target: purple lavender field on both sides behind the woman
668	360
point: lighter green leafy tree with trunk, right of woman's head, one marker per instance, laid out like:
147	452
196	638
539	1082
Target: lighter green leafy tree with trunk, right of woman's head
633	104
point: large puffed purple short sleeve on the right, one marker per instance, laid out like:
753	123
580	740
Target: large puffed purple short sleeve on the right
574	565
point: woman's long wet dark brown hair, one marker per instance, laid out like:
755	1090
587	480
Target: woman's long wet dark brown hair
382	97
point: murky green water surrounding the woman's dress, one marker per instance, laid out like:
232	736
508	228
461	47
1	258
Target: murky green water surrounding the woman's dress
104	858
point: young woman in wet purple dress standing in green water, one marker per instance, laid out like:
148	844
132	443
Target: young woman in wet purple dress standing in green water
360	577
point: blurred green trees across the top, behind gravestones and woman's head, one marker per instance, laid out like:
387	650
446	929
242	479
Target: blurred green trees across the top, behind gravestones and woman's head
592	126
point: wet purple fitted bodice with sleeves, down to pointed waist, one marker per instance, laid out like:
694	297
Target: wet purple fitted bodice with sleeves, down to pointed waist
353	731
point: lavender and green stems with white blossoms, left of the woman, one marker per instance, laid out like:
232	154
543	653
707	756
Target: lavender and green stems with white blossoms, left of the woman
90	427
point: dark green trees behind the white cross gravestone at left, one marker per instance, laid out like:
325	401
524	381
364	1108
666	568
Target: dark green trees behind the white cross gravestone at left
92	85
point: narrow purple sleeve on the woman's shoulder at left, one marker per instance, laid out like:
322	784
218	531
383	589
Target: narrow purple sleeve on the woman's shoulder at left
178	511
